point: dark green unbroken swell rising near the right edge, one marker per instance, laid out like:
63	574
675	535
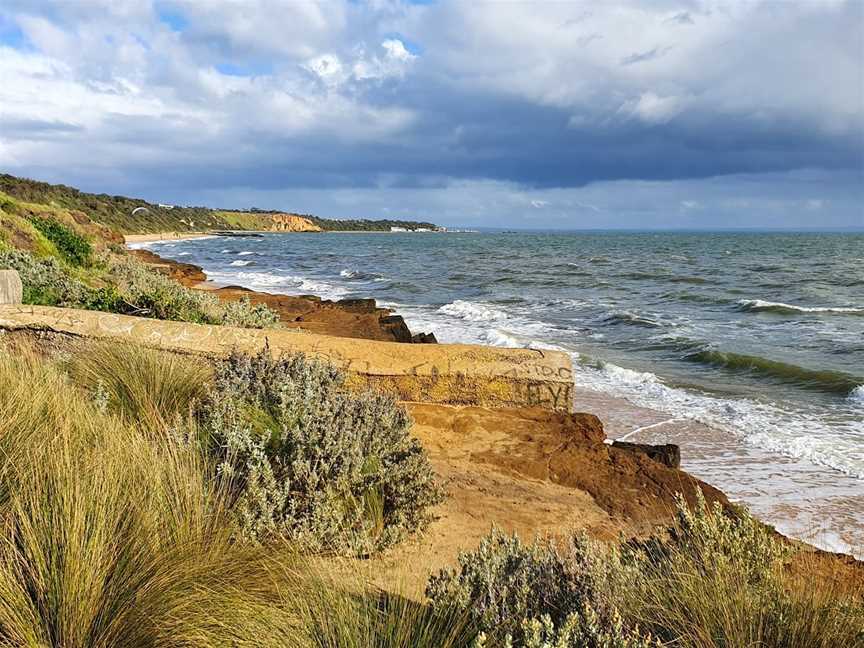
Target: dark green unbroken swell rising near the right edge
833	382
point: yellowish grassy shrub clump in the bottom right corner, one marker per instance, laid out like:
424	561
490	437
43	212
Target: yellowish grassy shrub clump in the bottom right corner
724	580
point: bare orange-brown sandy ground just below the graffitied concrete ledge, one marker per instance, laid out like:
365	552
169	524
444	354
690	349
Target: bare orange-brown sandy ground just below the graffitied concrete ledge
533	472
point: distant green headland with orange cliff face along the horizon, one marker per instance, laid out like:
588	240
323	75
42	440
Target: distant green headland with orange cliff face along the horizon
116	212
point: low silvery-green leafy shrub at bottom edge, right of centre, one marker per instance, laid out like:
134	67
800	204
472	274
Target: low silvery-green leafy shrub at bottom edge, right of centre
533	595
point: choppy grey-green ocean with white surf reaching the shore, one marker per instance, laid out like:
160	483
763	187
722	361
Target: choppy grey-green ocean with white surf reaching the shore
747	349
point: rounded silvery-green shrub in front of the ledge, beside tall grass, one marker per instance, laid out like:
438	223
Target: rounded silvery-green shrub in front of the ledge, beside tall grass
312	462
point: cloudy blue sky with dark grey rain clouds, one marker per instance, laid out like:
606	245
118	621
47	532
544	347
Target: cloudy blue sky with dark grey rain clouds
660	114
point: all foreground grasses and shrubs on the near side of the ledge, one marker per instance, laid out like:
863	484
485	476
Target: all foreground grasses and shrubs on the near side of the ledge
151	499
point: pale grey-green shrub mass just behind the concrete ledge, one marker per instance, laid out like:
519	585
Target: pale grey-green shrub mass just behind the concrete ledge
152	294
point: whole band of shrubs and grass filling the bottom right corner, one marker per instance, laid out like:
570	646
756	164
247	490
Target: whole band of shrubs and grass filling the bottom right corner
716	578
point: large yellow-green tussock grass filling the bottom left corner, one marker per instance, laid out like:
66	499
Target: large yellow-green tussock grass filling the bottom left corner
111	537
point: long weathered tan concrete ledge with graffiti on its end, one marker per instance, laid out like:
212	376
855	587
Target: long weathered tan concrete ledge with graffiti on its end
438	373
